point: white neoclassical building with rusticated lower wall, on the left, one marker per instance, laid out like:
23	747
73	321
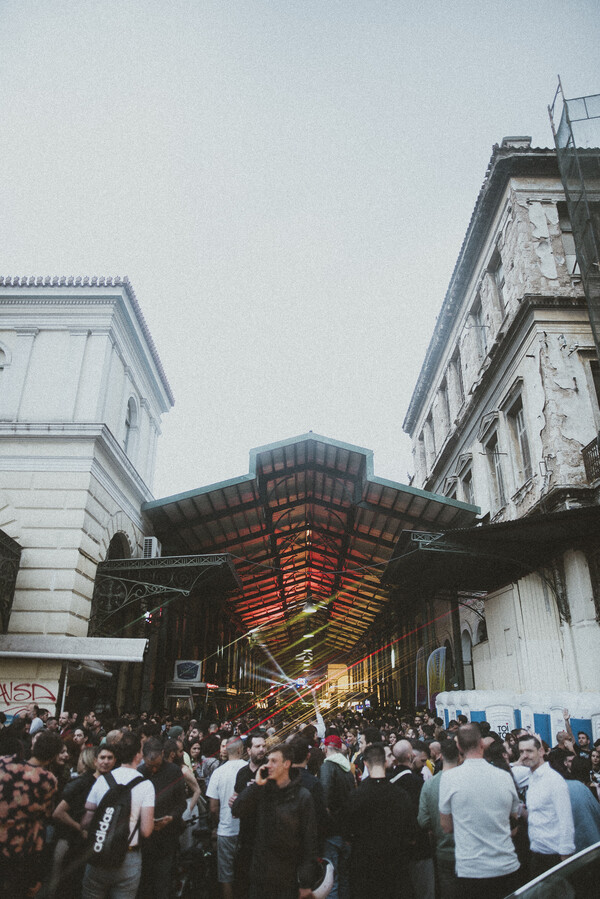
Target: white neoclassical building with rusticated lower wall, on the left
82	394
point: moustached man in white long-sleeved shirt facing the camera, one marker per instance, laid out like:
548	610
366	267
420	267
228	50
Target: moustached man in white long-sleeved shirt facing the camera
549	814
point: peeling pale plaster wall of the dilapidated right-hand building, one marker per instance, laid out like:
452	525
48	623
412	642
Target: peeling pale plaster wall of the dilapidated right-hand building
538	346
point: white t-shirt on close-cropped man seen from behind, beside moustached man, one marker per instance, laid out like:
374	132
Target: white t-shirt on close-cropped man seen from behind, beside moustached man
481	800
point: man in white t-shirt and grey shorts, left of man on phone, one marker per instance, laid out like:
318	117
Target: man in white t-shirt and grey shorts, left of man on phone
220	789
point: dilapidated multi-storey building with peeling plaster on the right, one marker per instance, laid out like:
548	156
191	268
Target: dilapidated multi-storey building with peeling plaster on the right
505	415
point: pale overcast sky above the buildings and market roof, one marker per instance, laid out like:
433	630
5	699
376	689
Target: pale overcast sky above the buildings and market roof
287	184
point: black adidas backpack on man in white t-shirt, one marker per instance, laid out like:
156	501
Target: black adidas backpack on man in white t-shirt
108	836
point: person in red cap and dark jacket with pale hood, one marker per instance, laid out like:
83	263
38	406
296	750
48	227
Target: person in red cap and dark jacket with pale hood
338	785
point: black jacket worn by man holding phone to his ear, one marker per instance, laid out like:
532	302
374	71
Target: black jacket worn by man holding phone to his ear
285	844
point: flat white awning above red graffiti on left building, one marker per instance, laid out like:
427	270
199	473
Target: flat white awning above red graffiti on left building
76	649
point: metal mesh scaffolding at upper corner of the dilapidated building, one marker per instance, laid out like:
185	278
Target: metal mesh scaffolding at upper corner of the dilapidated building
577	140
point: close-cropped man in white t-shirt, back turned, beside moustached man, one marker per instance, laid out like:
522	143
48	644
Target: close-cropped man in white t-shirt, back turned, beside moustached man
477	801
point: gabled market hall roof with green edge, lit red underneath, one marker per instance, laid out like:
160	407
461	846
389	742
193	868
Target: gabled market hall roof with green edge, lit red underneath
309	529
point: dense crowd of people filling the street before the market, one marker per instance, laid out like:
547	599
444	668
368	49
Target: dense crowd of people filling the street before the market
349	807
